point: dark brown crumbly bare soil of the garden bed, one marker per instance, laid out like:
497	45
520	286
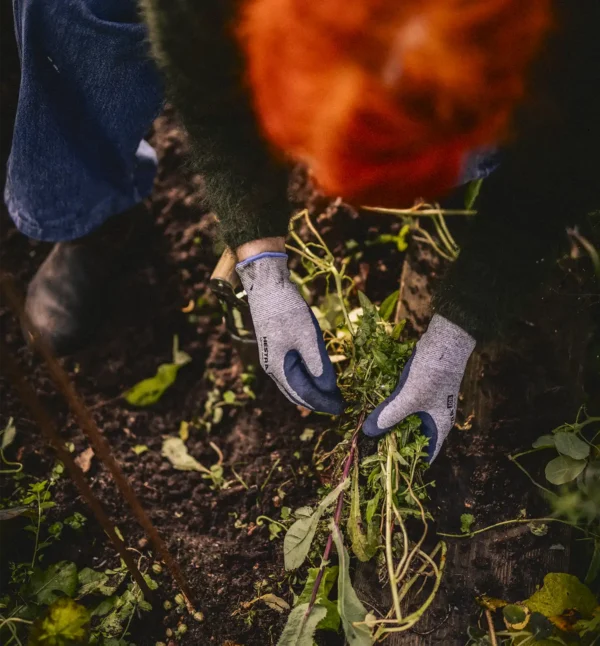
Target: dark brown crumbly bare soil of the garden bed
518	390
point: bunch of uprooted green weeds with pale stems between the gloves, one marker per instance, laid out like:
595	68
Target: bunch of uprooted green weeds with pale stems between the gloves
374	496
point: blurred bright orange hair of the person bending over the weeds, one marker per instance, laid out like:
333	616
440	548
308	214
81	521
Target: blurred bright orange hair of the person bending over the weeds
384	98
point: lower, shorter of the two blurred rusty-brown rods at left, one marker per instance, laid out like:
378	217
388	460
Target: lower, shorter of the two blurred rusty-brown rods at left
43	420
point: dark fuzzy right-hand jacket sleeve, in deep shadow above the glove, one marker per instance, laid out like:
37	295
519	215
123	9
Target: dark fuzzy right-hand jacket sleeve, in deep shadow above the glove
547	180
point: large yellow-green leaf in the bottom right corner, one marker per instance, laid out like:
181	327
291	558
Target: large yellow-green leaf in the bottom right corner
562	592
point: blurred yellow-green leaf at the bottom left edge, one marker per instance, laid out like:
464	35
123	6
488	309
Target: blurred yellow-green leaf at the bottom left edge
65	623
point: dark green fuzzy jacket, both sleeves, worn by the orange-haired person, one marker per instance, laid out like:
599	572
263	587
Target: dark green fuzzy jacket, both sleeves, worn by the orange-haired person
548	177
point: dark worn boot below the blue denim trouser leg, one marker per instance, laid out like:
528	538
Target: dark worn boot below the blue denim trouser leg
71	293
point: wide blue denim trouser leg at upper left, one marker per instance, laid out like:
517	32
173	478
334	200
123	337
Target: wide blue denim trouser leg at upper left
89	92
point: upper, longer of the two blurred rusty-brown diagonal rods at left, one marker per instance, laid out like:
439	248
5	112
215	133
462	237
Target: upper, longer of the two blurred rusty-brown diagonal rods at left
89	427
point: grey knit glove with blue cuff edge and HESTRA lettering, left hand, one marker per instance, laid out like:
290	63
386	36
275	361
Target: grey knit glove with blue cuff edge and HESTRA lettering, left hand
291	347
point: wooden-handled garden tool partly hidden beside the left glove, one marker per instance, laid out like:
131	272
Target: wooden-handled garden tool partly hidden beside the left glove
226	286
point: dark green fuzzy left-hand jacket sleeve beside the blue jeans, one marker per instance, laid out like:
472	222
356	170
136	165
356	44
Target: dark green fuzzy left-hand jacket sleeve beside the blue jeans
246	185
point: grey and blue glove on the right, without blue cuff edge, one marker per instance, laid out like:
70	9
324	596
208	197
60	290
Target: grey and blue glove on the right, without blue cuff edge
428	386
